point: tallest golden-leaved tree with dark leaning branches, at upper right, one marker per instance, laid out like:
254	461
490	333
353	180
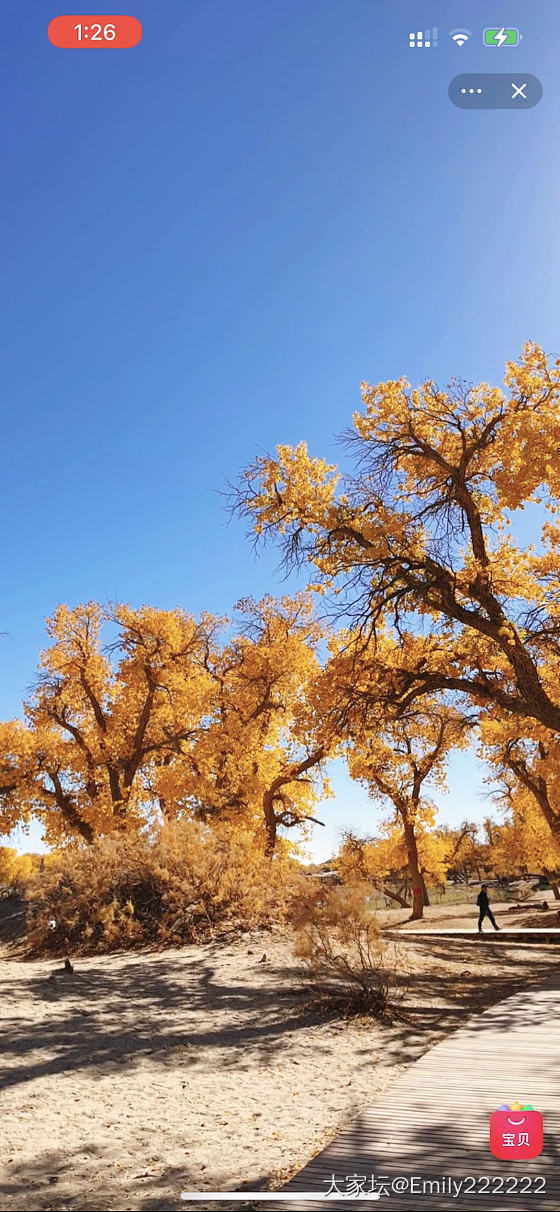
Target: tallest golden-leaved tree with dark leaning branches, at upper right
416	541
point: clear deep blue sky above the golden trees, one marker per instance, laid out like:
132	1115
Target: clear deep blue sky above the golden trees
209	242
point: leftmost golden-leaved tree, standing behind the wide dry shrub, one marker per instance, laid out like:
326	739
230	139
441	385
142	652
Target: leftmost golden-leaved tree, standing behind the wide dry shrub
101	719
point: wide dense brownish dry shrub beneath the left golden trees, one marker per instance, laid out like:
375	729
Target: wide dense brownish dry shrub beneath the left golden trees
182	885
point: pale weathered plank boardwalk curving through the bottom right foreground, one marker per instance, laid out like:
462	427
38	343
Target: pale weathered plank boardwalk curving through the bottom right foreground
433	1123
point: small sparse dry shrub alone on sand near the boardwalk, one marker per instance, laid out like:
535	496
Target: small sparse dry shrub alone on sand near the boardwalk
339	939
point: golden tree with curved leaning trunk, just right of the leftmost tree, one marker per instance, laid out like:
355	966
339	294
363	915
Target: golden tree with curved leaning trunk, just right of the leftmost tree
261	757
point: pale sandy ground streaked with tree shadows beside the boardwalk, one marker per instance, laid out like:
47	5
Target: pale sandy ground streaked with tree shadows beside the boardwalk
205	1068
